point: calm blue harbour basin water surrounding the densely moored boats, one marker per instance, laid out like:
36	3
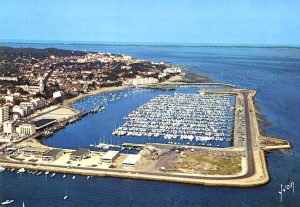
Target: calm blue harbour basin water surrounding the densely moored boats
99	127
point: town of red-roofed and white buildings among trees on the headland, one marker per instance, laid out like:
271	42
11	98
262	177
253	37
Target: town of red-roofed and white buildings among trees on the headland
34	80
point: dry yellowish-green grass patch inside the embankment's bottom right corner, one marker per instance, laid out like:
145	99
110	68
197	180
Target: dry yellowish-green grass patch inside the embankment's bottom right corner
210	164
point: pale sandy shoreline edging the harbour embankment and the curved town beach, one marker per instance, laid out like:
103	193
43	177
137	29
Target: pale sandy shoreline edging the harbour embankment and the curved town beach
256	169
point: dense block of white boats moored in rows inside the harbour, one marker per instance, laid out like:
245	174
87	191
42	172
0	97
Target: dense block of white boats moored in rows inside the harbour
184	116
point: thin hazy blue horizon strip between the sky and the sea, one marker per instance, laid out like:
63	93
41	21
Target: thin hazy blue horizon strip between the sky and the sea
147	44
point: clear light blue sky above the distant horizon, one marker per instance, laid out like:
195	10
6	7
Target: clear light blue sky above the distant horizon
157	21
